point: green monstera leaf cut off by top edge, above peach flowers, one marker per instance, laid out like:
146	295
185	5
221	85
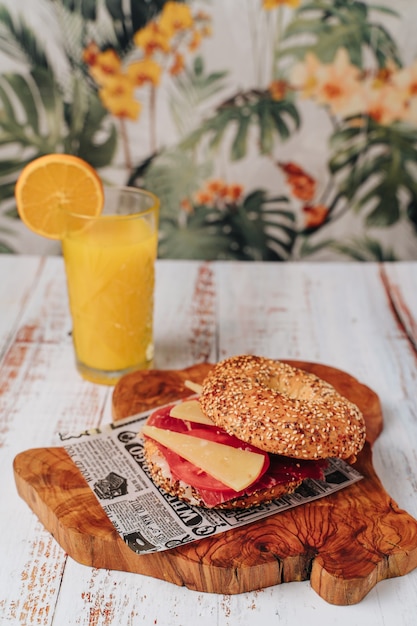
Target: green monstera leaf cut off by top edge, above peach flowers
342	24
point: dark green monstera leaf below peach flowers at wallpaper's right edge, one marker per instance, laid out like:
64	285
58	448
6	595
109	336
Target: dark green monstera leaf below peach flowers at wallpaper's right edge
375	167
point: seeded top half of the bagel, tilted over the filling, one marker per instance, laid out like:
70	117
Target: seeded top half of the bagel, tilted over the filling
282	409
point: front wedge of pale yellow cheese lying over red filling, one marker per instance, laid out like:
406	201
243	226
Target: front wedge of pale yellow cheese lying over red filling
235	468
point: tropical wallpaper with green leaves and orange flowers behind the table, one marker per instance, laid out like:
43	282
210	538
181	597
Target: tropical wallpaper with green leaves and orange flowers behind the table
276	130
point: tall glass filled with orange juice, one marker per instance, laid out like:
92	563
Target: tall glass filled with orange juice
110	269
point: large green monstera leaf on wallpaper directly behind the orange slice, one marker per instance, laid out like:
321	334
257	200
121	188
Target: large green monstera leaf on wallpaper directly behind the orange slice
34	117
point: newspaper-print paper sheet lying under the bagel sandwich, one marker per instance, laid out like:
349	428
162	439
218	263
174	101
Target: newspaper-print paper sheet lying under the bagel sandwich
148	519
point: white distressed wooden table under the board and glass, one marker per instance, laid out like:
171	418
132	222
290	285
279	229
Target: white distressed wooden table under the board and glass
361	318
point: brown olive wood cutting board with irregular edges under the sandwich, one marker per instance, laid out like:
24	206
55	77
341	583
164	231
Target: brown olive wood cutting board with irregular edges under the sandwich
344	543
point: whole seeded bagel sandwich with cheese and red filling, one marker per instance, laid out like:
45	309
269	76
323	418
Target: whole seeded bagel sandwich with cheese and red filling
256	430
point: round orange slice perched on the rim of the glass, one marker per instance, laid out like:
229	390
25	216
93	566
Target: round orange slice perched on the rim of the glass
54	185
